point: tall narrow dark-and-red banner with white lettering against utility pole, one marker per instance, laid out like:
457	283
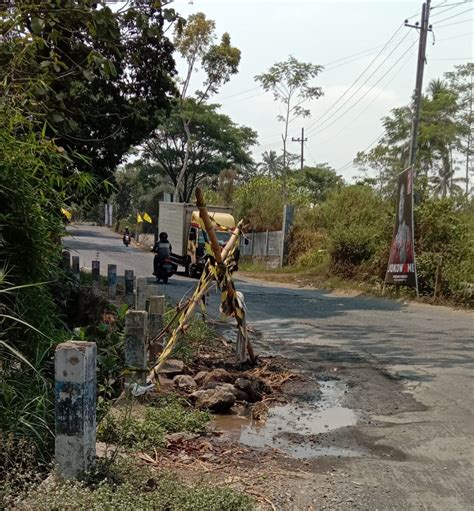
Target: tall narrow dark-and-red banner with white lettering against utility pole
401	264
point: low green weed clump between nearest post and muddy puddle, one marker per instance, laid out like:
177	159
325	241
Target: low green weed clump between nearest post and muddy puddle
168	415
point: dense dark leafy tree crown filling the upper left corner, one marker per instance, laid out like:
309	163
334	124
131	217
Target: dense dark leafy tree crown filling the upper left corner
98	78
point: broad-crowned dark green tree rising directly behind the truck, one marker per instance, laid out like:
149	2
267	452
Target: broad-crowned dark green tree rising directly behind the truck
219	144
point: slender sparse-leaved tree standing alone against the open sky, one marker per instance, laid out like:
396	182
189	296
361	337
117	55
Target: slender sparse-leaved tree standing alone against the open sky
290	84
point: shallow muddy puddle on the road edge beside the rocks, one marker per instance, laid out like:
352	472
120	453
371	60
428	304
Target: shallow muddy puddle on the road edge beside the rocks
295	427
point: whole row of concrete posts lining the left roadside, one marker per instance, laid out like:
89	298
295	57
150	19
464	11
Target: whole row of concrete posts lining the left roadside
76	366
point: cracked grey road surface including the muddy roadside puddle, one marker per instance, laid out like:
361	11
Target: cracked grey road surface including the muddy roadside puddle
382	417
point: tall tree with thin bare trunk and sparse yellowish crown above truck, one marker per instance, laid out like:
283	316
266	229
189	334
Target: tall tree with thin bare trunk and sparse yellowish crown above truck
195	43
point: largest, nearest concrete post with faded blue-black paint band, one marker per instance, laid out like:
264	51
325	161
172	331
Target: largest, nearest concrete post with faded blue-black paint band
75	400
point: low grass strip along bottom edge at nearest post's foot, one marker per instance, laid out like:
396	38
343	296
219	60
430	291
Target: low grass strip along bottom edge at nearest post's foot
129	486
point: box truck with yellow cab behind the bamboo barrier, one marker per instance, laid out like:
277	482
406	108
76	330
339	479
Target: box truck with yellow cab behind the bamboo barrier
186	233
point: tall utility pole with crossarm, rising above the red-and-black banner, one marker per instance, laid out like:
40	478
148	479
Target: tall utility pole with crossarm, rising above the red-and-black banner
424	28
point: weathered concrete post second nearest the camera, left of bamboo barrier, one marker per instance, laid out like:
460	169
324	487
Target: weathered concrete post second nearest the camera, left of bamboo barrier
135	346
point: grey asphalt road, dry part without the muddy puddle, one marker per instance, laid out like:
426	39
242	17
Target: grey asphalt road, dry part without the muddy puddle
410	367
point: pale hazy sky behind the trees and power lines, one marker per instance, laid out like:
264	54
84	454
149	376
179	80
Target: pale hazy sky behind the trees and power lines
347	38
